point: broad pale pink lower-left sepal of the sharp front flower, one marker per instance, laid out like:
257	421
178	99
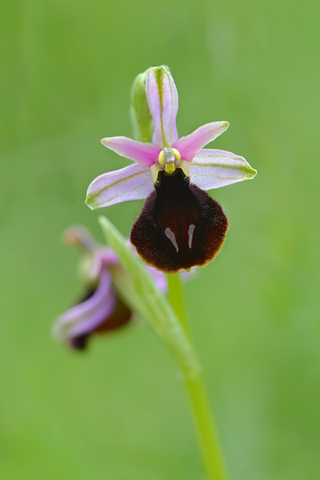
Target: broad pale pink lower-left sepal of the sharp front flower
128	183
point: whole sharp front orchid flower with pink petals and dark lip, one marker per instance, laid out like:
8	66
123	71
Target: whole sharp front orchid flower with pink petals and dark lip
180	225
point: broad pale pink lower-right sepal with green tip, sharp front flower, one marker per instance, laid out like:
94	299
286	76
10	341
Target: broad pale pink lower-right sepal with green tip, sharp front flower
217	168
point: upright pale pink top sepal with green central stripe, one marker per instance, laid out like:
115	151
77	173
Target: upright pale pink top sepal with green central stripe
162	97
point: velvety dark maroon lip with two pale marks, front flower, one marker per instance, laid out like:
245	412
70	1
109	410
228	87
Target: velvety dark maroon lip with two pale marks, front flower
180	225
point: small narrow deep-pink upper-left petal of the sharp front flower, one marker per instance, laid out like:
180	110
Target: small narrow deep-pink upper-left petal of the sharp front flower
145	154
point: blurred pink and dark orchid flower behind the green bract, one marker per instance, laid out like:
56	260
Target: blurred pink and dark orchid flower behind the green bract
101	309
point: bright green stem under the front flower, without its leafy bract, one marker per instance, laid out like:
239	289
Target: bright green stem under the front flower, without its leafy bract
203	419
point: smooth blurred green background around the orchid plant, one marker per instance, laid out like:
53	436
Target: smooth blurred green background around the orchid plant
118	411
